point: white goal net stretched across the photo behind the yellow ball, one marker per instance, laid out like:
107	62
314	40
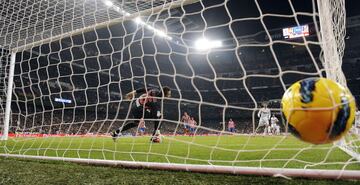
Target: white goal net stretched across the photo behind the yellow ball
66	66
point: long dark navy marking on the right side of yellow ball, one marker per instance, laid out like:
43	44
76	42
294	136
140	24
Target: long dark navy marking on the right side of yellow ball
339	125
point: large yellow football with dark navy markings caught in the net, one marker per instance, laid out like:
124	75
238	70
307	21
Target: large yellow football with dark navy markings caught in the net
318	110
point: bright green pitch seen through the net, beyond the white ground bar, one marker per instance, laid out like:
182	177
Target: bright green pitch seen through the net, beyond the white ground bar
256	151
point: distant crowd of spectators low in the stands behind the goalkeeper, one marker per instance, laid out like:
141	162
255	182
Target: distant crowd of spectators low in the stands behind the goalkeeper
51	123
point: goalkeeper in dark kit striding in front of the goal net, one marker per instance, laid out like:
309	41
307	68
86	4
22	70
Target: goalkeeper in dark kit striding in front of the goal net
147	106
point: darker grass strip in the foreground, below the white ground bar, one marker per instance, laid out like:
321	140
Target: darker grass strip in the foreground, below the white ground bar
21	171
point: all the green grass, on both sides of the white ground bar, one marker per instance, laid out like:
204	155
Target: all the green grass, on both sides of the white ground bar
268	151
